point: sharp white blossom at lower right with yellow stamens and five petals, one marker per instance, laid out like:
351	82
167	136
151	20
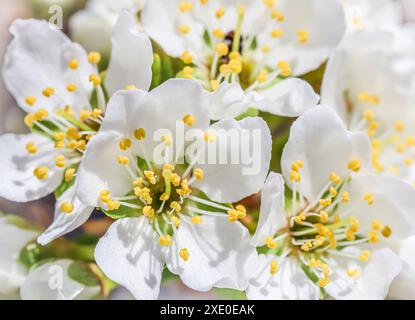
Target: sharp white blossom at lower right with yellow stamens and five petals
339	234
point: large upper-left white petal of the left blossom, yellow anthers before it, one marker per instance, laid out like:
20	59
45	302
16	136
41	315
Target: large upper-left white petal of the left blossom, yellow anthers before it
38	58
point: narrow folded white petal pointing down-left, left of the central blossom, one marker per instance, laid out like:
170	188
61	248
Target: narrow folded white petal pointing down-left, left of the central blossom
64	223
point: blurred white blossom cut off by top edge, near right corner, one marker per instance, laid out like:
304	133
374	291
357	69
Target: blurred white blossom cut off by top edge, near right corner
380	15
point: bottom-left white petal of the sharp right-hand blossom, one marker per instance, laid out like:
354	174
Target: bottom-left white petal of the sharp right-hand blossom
290	283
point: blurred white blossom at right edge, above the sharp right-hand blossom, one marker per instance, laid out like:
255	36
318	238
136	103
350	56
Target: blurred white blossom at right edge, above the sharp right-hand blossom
369	82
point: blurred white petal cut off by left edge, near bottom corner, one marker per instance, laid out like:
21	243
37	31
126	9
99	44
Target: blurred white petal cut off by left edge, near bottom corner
12	241
